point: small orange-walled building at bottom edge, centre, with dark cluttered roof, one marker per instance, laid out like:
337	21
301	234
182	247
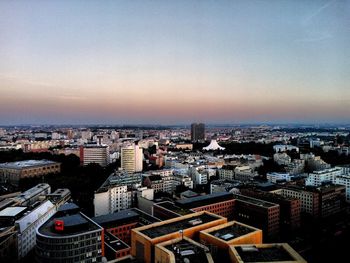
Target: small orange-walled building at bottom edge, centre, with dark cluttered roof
182	250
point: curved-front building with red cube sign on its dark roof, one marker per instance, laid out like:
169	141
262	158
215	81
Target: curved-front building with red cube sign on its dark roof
69	236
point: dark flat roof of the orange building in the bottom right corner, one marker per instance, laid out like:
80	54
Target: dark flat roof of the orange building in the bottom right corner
271	254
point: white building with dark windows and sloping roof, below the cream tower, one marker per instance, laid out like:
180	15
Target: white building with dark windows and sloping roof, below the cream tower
116	193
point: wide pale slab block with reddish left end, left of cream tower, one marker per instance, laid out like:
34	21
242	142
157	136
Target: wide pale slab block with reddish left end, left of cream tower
93	153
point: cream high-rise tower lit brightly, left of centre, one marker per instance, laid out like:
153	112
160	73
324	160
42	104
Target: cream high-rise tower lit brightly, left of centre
132	158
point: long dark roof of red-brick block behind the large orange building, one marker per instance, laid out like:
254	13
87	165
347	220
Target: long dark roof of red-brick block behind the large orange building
204	200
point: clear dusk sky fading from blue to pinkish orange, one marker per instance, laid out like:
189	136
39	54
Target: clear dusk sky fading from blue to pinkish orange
174	62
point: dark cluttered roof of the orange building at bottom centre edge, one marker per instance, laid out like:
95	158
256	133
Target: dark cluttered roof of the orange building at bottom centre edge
185	249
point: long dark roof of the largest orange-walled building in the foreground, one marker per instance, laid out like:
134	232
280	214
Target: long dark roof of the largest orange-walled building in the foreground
158	231
